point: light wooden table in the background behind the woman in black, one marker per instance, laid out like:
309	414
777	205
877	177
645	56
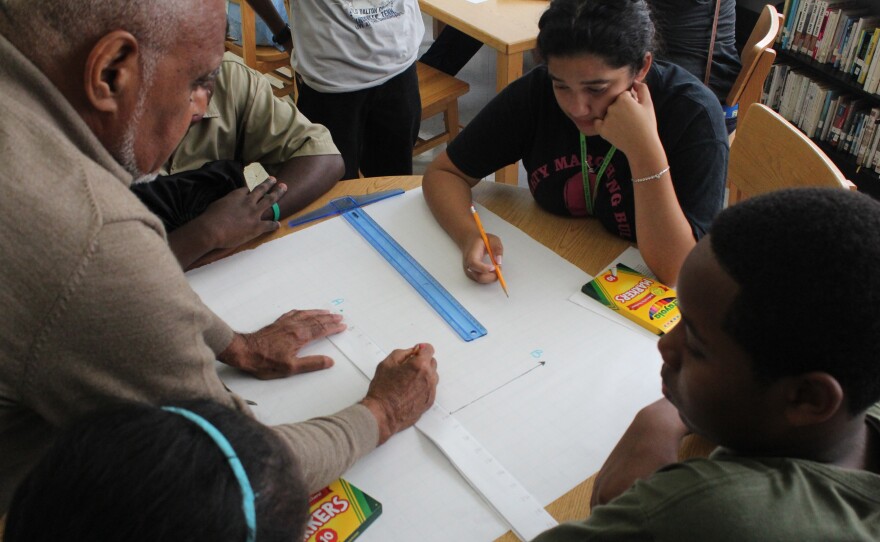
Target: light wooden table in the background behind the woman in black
508	26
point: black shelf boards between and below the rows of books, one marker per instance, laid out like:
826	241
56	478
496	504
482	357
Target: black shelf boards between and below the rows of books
866	179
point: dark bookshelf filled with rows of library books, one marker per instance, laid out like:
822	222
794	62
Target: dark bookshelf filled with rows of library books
826	76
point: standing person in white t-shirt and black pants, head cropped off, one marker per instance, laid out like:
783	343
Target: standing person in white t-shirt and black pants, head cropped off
356	73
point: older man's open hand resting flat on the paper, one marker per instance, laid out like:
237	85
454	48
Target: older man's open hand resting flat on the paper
271	352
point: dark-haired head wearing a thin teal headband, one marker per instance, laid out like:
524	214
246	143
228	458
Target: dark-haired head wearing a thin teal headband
195	471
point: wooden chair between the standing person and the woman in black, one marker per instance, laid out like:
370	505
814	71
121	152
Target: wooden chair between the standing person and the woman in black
439	93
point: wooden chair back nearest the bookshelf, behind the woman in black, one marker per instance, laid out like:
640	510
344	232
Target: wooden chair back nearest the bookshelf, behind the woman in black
757	57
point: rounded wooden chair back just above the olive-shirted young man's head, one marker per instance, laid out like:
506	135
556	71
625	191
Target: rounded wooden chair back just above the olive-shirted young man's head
769	153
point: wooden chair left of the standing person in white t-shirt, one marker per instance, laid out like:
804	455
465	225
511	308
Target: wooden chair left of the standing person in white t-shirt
264	59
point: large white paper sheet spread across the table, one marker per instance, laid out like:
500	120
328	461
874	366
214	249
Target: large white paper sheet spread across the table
550	425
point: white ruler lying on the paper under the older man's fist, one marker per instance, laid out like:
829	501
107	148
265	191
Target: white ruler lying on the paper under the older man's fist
513	502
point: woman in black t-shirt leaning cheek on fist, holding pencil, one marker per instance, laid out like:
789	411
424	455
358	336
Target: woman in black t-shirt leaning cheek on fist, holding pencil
603	130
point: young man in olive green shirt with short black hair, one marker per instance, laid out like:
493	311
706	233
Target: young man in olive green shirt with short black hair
777	359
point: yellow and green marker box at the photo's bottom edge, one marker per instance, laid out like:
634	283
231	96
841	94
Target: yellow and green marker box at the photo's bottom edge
340	513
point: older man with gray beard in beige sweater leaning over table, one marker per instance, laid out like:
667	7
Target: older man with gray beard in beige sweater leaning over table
96	94
